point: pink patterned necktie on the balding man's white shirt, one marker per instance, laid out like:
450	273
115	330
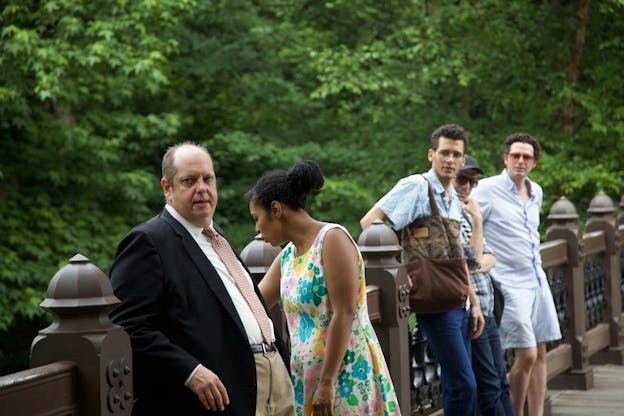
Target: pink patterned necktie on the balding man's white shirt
224	250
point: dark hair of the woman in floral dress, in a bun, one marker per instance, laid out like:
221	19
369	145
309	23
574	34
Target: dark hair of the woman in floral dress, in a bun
291	188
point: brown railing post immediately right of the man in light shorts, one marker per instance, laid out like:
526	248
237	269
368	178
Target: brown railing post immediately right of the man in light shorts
562	220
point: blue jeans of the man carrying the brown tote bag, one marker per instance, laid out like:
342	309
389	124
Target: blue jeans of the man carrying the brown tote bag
448	335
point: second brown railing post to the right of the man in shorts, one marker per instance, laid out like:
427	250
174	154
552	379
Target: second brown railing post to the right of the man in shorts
601	210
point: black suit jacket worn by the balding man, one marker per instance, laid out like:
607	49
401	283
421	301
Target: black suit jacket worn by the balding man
178	314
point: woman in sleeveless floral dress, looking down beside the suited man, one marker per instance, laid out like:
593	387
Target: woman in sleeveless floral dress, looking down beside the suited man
337	365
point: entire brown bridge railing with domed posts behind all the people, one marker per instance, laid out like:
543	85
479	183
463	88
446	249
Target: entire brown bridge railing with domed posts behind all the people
82	363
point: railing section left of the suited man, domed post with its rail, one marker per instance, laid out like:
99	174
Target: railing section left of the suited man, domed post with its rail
82	363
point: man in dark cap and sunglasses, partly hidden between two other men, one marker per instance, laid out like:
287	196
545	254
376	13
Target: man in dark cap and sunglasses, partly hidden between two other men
488	362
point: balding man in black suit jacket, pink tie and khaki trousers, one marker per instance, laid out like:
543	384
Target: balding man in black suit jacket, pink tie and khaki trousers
197	346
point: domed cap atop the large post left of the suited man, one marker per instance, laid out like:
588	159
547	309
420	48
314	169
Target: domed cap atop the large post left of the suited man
79	285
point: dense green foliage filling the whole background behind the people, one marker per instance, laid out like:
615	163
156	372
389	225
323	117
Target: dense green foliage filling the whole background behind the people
92	93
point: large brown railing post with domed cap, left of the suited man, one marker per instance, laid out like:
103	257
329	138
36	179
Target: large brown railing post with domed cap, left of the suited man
80	297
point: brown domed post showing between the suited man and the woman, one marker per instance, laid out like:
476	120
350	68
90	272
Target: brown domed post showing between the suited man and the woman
258	256
